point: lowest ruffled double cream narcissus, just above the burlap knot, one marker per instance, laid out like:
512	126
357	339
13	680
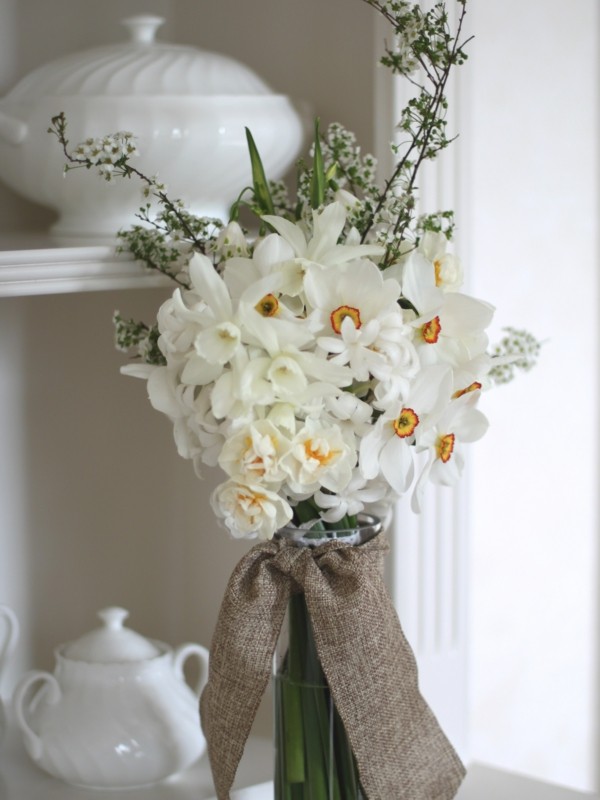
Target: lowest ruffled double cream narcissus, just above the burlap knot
250	510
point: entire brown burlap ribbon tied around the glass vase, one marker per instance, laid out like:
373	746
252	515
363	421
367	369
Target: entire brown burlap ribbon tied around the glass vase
401	752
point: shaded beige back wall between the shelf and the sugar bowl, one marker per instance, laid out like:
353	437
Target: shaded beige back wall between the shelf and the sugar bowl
113	515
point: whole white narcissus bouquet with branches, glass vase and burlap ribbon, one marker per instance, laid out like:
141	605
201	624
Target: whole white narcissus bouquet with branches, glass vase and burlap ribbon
326	359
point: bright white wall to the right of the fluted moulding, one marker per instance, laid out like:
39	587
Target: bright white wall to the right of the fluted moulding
532	226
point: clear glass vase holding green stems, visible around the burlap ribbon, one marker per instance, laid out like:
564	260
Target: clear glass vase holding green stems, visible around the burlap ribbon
313	757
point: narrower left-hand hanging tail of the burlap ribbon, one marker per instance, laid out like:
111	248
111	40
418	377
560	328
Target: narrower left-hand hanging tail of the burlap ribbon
240	665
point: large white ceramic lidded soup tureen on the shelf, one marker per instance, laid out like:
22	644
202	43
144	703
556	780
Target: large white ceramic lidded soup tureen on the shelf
188	109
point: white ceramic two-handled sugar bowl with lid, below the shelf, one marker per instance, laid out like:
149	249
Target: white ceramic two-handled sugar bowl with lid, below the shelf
117	712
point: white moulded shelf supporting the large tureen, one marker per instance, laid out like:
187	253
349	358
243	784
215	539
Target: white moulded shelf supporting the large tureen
41	268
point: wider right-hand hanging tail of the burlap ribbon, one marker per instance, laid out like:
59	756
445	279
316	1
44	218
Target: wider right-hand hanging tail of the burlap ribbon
400	749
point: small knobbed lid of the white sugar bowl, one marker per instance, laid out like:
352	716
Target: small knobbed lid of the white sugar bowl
111	642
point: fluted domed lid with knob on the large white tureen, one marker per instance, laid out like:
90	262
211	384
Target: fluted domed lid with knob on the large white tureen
141	66
